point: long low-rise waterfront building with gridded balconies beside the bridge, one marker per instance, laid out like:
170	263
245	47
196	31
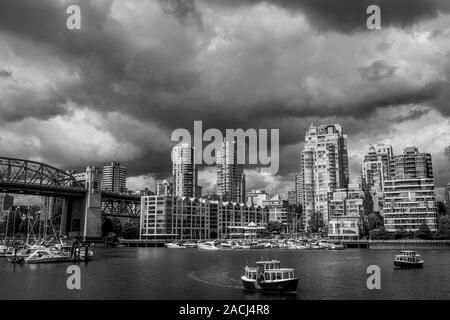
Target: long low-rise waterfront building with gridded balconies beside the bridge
196	218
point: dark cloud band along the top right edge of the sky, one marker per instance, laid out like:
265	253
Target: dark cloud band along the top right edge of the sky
350	15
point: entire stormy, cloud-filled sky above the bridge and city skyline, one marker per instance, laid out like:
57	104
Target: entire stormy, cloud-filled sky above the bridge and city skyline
137	70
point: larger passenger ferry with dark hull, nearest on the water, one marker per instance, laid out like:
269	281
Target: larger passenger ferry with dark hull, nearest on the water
268	276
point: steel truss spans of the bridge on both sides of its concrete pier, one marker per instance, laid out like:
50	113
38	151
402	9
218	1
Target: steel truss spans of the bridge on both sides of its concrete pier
35	178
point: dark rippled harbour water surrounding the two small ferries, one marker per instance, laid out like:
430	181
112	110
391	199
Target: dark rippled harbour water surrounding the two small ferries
160	273
